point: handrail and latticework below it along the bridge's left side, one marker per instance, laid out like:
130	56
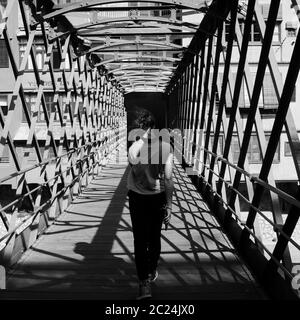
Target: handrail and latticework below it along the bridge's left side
82	167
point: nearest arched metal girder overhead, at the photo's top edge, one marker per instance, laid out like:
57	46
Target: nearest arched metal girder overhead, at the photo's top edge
190	4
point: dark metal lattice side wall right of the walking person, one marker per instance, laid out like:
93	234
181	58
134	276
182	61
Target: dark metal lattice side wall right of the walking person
216	114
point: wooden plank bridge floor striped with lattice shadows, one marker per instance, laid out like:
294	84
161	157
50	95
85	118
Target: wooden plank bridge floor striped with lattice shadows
88	251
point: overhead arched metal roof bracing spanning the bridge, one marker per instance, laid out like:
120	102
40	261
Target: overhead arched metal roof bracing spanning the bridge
148	34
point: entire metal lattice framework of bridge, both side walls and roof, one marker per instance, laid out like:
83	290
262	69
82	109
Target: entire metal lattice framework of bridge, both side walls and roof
127	48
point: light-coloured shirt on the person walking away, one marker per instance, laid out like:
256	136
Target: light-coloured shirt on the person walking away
146	175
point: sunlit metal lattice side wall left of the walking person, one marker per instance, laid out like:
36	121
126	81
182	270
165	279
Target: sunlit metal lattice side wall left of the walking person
83	123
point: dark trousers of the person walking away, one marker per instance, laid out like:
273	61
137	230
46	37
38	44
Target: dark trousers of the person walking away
147	215
